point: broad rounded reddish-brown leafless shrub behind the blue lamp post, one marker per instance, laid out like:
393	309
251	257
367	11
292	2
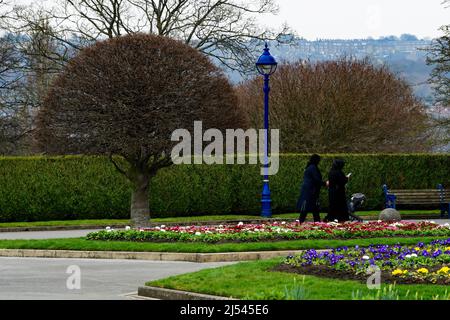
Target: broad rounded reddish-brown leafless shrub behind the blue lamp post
339	106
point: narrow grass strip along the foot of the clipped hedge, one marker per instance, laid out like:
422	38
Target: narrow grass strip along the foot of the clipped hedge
178	219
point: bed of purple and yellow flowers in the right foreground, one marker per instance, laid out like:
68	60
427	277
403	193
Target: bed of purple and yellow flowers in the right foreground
401	264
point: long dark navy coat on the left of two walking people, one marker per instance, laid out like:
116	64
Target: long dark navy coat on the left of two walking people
310	190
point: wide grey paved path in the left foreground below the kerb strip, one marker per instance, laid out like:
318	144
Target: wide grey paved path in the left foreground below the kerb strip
37	278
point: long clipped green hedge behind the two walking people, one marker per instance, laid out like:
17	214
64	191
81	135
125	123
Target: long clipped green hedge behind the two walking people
76	187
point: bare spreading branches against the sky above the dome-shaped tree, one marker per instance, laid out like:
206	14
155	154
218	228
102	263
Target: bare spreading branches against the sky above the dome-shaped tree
226	30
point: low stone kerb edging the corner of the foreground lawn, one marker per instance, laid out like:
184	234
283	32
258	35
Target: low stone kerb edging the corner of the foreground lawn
168	294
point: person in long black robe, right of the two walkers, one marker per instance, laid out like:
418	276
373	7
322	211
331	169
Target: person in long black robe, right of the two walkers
338	208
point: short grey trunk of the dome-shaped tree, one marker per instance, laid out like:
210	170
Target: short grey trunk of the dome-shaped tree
140	208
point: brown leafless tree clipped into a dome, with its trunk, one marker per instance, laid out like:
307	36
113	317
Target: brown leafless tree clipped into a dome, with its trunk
125	97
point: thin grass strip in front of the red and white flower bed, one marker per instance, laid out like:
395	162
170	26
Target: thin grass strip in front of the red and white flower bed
81	244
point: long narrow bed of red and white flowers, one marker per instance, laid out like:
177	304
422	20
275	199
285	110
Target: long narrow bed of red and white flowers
274	232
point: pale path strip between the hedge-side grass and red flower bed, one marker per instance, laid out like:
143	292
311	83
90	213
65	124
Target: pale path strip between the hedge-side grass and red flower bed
83	233
